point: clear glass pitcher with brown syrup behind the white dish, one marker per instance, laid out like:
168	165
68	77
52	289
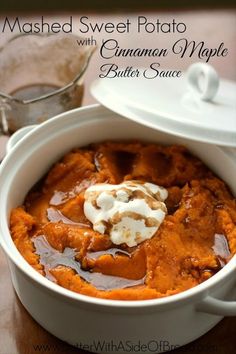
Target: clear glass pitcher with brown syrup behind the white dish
41	76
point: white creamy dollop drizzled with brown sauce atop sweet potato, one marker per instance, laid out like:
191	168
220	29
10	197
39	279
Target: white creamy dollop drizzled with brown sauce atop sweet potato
130	212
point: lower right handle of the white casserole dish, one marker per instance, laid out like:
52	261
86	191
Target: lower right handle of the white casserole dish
217	307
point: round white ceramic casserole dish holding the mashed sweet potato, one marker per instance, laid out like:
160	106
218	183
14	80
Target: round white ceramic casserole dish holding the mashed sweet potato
160	324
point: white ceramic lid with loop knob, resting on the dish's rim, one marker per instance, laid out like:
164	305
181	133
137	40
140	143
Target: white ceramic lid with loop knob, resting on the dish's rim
196	105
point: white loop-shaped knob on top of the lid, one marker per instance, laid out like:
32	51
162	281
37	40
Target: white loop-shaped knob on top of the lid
203	81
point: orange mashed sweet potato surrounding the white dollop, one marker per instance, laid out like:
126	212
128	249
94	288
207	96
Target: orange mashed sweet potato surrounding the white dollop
196	239
